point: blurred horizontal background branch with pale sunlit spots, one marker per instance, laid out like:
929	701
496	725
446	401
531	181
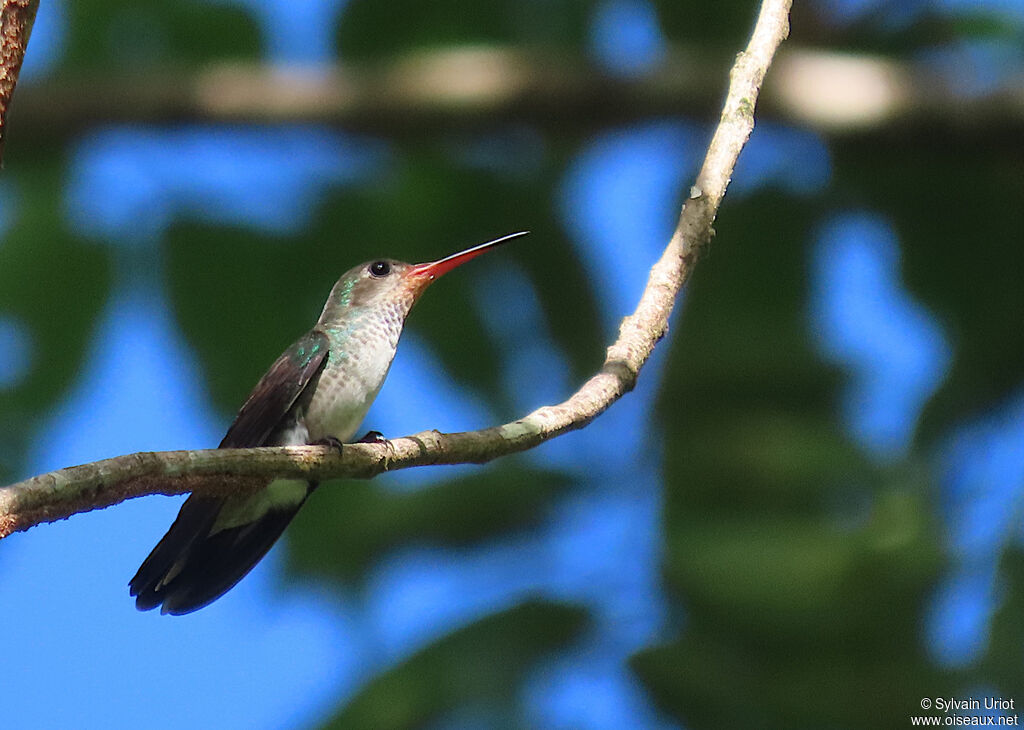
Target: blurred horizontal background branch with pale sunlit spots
836	94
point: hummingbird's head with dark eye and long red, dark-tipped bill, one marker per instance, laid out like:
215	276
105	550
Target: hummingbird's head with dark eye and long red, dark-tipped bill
387	284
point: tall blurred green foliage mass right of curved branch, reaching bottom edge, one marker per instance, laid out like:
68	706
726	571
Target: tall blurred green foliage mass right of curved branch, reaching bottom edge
803	569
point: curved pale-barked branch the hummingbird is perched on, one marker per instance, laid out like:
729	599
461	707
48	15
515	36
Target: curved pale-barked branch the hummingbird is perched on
67	492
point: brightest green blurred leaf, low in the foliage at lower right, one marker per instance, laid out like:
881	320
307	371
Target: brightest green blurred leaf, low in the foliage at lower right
800	584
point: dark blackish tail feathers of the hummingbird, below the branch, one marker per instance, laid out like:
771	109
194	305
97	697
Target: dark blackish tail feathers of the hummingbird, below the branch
191	569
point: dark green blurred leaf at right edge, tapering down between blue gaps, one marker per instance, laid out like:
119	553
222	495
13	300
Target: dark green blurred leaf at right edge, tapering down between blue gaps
959	222
